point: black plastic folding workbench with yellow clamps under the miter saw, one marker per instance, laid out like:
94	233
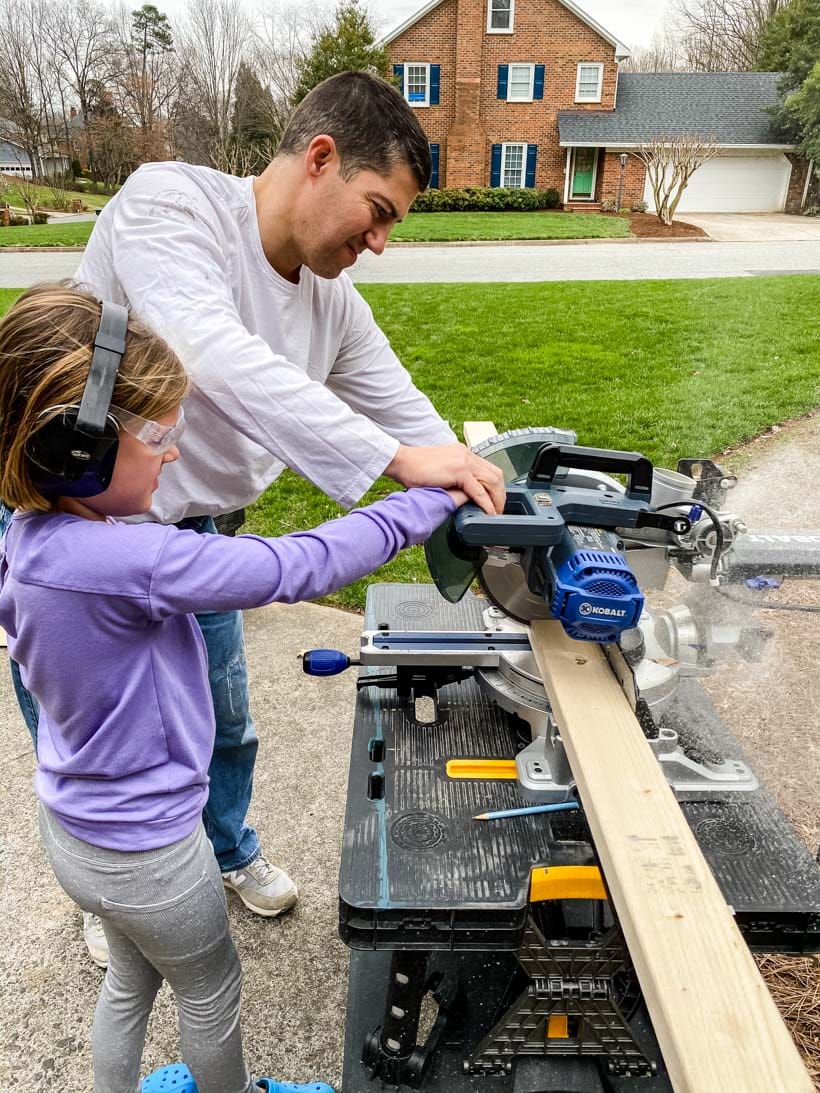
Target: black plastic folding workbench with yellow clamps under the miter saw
439	910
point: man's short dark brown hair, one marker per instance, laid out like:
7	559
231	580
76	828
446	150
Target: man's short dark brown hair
372	125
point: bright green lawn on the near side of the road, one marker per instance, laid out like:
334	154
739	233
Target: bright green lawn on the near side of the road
671	369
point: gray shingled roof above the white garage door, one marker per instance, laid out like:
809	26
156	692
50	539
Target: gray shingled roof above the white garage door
730	108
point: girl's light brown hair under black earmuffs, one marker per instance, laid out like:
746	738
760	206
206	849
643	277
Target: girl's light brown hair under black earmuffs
46	345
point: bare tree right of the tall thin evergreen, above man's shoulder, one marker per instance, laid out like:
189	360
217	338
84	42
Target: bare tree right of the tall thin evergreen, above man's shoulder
215	40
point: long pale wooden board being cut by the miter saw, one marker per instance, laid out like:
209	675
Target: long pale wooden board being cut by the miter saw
717	1024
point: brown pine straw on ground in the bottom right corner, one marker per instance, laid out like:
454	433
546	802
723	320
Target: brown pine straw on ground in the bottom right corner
794	983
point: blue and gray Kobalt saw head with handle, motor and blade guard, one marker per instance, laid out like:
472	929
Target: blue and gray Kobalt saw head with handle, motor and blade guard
557	551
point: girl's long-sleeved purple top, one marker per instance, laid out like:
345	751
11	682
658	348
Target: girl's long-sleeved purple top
100	618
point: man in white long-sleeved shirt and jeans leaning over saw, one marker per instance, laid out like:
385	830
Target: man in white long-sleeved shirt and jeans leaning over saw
244	277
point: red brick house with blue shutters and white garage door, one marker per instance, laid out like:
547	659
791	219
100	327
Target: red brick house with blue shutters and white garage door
528	93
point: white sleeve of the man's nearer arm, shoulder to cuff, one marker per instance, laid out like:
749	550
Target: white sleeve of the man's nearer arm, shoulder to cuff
175	277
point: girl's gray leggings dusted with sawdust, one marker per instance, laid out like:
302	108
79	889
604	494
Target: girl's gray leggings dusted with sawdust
166	918
